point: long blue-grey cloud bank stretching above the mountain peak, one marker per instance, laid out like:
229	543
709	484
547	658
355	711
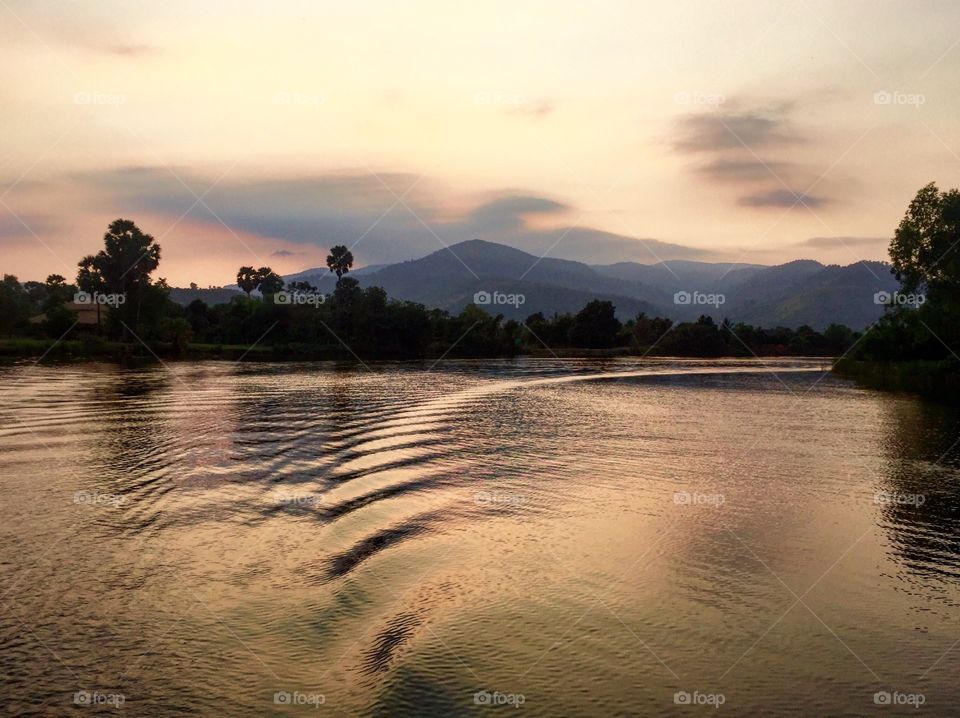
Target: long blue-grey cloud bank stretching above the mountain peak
362	211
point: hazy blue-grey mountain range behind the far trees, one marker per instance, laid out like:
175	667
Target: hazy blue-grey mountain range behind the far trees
792	294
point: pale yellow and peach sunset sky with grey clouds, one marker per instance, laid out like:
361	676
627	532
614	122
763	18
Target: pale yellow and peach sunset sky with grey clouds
262	133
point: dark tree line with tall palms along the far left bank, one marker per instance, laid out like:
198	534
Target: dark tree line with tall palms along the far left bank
354	321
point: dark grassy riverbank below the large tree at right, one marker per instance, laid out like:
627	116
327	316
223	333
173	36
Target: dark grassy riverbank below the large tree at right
938	380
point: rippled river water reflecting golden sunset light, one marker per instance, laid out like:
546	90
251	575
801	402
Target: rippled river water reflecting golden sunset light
584	538
